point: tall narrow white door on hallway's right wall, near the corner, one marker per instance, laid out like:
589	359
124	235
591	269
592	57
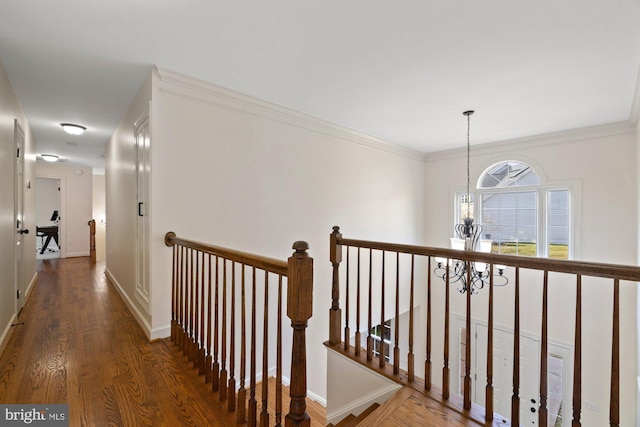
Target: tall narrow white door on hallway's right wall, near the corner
143	141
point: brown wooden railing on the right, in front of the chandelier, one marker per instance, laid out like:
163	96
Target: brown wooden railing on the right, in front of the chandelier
341	338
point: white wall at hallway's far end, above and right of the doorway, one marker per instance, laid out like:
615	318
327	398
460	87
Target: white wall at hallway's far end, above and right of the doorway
76	190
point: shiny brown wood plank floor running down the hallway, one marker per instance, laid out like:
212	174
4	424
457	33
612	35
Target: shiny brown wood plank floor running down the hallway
78	344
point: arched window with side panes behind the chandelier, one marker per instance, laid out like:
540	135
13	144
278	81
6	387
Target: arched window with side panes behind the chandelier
519	213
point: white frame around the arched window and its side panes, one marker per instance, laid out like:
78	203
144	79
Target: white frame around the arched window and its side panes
543	190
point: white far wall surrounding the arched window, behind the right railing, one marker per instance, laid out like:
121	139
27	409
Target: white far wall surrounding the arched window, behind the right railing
603	162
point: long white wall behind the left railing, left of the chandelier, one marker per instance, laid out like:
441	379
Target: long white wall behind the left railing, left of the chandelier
245	174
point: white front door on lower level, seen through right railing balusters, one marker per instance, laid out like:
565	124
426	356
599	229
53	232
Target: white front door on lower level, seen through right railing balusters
503	373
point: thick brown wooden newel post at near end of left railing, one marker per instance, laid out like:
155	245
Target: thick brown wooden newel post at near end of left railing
299	310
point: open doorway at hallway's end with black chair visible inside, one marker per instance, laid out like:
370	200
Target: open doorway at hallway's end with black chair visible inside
48	217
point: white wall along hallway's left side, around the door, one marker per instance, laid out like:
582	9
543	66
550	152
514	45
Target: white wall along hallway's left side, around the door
10	110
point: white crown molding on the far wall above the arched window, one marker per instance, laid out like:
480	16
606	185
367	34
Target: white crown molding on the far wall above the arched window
581	134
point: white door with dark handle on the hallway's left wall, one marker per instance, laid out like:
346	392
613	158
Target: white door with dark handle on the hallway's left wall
20	285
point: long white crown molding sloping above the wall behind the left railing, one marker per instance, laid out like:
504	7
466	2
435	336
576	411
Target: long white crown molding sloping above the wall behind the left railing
182	85
